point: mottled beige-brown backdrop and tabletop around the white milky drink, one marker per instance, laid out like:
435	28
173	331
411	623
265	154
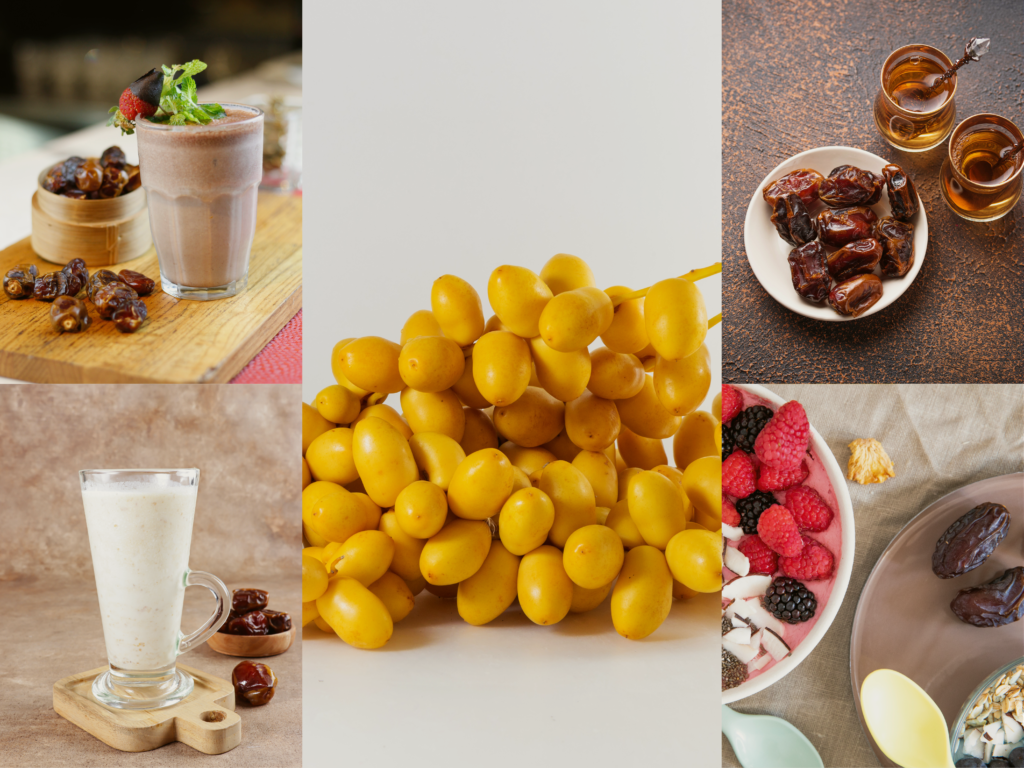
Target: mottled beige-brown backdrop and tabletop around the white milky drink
244	440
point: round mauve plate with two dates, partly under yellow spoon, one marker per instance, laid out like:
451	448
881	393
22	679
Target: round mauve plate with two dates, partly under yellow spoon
946	602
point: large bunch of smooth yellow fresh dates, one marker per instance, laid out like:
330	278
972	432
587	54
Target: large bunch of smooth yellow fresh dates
523	465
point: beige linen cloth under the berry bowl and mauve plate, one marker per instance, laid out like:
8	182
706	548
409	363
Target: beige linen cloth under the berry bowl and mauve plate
941	438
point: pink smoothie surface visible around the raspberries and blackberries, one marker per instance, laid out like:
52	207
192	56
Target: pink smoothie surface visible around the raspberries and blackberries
831	538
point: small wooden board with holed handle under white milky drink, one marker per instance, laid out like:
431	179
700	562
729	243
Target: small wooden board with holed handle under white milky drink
206	720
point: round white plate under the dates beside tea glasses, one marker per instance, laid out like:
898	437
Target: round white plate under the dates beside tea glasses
767	252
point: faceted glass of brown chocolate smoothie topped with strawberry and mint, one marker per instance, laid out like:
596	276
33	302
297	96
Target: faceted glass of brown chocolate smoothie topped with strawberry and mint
201	182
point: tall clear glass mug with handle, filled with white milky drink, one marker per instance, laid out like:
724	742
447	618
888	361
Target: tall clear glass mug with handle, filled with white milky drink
140	524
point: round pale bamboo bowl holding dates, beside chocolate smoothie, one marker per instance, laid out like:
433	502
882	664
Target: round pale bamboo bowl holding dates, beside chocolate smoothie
102	233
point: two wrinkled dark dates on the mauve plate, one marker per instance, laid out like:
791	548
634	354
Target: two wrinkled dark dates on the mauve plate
965	546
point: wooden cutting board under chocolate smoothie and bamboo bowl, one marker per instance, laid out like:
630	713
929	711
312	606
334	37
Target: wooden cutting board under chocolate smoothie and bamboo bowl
183	342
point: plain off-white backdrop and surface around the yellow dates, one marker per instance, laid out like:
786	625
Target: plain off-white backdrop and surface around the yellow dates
453	138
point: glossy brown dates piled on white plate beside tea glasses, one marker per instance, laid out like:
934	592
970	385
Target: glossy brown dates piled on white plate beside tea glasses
861	242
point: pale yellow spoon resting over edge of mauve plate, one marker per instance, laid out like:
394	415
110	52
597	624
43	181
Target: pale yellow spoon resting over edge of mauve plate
905	722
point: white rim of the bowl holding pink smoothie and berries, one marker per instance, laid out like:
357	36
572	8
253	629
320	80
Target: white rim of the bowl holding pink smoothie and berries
845	568
